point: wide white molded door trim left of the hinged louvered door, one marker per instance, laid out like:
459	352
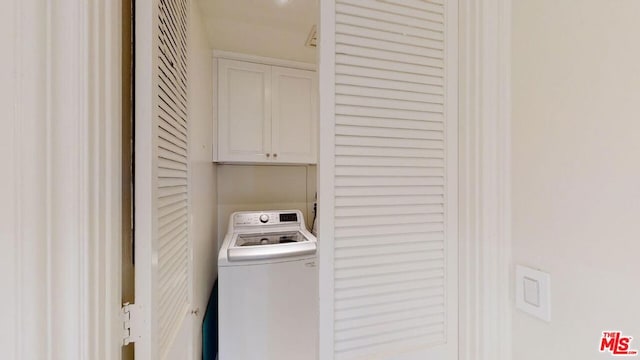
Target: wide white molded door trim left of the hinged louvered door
67	163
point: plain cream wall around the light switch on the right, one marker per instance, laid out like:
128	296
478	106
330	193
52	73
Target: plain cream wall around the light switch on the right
576	170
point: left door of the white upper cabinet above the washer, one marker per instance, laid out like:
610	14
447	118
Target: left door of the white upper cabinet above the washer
244	111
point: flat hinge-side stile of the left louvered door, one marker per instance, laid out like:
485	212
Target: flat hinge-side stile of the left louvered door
146	13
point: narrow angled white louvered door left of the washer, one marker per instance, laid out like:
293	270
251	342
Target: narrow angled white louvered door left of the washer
162	245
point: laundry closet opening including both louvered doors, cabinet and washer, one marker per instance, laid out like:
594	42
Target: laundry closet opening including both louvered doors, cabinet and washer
252	112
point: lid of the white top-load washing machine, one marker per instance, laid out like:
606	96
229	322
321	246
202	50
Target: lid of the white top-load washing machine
271	245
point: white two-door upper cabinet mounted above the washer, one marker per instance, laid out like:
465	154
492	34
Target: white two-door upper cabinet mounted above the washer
266	114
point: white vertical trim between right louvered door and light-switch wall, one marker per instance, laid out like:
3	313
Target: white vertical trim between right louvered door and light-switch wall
485	243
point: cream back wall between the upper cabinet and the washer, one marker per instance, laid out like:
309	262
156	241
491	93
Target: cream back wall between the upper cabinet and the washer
264	187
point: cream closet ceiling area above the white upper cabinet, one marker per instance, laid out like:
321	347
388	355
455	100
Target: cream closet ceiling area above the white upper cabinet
261	27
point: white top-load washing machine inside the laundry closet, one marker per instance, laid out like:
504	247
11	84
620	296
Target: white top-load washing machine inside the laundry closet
268	288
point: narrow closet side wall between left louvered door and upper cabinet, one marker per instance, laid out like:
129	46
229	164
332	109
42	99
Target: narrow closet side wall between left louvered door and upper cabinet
203	224
